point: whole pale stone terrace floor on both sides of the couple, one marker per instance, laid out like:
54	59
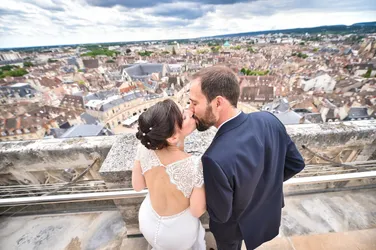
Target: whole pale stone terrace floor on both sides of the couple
324	221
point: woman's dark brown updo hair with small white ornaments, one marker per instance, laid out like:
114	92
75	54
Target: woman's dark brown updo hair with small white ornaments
158	123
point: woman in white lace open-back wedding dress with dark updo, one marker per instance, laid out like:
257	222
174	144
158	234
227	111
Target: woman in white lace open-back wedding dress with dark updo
169	215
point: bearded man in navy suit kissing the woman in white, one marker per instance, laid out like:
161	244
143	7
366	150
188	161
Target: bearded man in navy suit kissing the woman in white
246	164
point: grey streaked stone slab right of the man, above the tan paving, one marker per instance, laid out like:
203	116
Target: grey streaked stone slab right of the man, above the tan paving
329	212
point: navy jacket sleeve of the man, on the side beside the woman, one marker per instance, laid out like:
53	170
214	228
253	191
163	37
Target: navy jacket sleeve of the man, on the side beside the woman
219	193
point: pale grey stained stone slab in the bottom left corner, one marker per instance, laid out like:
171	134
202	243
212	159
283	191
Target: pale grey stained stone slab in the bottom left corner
102	230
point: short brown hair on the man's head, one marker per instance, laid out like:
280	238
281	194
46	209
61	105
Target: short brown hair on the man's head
219	81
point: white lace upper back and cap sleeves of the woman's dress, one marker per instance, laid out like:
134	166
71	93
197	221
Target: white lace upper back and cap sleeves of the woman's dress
185	174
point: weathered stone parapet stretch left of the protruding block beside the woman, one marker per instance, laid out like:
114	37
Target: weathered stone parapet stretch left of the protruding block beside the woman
53	154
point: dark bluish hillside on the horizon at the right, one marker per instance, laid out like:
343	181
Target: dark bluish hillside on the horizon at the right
369	27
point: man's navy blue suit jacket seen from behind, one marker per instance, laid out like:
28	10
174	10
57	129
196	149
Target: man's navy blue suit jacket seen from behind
244	170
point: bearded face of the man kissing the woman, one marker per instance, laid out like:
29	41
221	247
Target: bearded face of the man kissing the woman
202	110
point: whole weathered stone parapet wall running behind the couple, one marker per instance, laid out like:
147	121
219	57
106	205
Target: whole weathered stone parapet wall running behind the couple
341	142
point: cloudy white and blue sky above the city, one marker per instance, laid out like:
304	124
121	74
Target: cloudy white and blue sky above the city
25	23
